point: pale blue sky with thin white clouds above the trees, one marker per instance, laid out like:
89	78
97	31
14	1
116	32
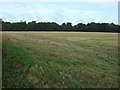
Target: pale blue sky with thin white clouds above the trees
60	12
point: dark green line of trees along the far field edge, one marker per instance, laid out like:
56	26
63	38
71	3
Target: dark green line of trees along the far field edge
52	26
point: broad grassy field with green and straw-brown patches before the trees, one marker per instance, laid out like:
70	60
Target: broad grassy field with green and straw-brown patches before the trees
60	60
